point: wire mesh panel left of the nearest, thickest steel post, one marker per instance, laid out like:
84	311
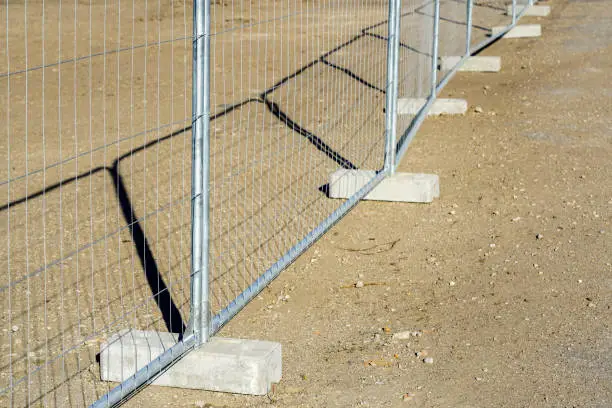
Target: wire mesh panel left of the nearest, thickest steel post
94	186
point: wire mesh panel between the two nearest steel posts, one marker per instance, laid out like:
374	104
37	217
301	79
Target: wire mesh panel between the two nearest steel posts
298	90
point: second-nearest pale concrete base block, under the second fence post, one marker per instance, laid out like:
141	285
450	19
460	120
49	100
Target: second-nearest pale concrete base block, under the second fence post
401	187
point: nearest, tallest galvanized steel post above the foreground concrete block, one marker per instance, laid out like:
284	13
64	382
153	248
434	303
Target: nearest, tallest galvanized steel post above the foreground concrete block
199	308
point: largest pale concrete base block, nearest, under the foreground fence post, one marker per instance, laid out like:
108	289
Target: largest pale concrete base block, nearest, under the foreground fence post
227	365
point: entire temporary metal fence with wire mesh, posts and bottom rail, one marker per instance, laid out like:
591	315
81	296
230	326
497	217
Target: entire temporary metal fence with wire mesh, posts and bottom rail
165	161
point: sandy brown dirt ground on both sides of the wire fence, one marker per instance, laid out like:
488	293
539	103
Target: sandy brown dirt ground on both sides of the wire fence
505	281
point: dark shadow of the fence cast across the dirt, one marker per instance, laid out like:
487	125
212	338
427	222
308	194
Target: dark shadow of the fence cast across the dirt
157	285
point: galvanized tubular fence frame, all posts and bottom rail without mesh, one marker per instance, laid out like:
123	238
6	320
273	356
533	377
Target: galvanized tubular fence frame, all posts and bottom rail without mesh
202	325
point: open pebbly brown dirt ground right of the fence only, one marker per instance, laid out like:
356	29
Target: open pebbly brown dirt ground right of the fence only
507	277
